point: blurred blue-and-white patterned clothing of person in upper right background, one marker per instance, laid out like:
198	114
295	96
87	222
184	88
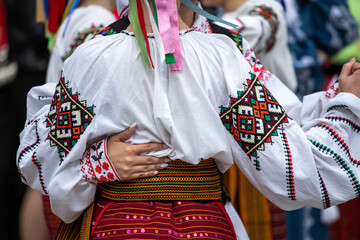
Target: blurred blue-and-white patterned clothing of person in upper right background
317	29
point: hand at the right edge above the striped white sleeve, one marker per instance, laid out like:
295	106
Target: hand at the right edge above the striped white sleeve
349	79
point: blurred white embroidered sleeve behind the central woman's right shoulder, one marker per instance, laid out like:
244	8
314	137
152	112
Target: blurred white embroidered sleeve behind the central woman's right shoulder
263	24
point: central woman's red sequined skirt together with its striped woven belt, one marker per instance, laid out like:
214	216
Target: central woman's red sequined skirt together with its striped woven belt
181	202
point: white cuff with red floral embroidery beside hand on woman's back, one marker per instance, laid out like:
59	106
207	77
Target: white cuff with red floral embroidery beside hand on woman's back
96	167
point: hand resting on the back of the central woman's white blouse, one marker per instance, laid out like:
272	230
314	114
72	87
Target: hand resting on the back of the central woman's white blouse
126	158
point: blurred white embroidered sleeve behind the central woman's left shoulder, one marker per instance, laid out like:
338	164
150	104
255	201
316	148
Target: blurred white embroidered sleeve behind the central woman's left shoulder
84	23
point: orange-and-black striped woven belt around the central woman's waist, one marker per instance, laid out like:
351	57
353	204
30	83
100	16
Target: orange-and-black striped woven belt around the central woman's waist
179	181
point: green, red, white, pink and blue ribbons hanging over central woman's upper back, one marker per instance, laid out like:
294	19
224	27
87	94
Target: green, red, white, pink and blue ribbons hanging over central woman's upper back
165	26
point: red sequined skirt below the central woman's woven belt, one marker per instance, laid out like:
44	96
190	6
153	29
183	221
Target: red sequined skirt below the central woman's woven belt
160	220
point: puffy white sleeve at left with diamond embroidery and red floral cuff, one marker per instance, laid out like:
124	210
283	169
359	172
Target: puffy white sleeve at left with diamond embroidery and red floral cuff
58	155
